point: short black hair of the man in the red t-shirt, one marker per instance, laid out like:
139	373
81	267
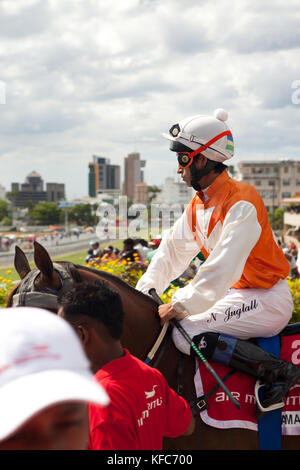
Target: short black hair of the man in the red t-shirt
96	300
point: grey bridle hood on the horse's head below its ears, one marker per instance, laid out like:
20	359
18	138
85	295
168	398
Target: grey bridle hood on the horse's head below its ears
27	295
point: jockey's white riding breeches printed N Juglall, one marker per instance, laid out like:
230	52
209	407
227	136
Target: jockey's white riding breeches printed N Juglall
242	313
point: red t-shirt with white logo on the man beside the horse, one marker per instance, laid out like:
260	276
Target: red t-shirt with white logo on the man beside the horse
143	408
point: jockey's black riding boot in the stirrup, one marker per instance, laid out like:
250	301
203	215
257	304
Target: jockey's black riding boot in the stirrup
277	375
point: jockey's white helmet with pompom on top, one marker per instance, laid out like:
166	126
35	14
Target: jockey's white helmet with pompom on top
198	130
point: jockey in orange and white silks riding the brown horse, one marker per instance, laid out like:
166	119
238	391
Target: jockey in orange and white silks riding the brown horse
240	291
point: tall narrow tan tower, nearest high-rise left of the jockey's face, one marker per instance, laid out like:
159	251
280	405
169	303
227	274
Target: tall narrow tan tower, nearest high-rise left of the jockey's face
133	174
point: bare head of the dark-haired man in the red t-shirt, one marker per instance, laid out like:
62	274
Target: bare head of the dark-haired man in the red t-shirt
96	313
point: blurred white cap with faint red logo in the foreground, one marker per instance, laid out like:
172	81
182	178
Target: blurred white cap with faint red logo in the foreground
42	363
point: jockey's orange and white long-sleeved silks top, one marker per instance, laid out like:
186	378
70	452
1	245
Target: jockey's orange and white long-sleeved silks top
231	228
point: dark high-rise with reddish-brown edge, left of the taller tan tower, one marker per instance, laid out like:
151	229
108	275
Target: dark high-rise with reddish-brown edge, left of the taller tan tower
102	175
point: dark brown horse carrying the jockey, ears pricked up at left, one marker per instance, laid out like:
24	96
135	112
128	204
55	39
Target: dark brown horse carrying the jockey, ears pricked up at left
141	329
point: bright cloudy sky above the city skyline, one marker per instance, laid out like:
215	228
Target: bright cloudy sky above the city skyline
91	77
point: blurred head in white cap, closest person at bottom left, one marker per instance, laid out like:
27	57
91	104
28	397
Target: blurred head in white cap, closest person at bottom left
45	383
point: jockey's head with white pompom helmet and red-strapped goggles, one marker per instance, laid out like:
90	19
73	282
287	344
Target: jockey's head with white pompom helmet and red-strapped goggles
202	143
